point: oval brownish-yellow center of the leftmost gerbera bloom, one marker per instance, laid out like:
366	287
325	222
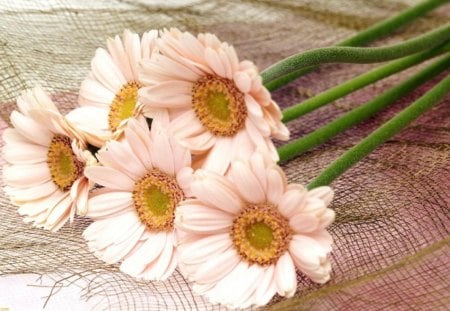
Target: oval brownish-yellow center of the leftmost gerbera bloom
64	166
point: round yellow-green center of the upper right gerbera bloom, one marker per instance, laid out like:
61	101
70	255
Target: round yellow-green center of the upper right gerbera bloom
219	105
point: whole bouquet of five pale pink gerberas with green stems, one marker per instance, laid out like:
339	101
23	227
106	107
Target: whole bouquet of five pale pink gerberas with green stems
171	155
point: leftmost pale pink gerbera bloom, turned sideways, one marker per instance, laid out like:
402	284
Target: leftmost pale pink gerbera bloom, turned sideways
45	158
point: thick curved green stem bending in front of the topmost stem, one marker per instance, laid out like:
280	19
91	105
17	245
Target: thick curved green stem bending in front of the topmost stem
355	54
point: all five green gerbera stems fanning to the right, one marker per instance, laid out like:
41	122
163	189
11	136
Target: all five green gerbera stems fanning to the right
404	55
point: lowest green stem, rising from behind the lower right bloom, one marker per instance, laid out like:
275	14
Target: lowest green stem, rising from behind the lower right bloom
382	134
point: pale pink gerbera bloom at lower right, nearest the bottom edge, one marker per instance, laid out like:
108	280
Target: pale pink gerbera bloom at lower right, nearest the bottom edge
244	234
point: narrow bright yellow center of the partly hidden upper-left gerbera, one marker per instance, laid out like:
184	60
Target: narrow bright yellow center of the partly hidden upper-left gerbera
123	104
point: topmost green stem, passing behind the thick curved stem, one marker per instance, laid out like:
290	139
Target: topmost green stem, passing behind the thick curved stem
368	35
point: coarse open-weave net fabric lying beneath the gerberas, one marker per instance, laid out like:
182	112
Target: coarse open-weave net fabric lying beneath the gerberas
392	227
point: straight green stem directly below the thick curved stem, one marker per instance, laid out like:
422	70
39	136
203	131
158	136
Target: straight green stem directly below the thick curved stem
359	82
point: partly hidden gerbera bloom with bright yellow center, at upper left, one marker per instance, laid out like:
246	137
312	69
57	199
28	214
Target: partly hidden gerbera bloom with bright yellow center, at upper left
109	95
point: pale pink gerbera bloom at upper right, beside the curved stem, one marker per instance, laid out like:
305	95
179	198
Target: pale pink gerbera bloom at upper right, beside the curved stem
218	107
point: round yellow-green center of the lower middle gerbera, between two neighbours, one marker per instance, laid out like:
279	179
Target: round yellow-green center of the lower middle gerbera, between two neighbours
155	196
